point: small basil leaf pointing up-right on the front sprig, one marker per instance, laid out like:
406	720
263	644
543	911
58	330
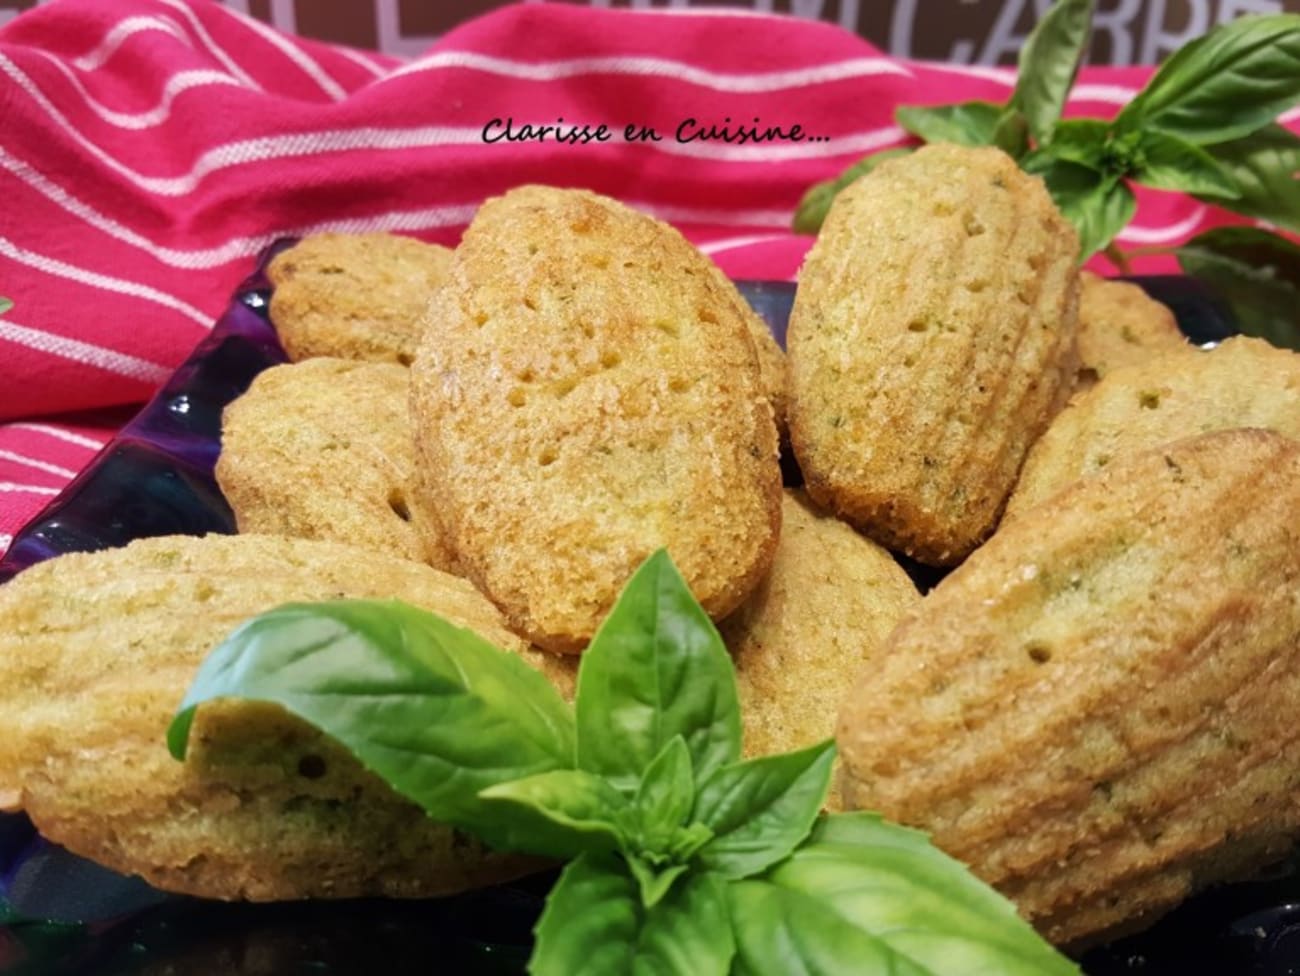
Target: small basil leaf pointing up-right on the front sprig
761	810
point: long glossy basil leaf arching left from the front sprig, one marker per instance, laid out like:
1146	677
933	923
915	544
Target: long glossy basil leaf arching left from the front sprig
434	709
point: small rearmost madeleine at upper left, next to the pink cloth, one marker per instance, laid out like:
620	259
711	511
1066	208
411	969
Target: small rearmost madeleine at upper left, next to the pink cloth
356	296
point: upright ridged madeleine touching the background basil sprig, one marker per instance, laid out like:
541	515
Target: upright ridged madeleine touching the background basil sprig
931	341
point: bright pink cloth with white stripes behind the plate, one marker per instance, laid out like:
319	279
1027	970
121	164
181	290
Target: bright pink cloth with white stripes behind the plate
150	149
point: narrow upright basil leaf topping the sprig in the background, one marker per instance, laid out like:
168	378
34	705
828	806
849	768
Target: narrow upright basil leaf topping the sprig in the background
1050	63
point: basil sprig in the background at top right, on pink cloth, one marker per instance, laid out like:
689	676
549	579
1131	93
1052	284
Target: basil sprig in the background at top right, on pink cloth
1203	125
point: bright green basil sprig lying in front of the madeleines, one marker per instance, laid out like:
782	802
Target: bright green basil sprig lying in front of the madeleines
684	860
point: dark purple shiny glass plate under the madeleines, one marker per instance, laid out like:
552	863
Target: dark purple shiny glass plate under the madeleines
60	914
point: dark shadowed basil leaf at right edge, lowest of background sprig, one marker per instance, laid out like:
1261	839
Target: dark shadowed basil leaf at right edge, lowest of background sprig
1258	274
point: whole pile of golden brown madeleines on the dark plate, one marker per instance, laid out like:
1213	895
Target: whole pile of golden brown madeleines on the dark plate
1091	709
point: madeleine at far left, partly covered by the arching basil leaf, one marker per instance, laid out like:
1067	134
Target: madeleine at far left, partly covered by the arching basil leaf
97	652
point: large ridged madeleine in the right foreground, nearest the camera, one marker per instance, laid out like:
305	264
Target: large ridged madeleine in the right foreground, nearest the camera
1097	712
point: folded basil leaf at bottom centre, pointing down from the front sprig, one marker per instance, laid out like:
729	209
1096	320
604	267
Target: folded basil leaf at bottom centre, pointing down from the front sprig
595	925
